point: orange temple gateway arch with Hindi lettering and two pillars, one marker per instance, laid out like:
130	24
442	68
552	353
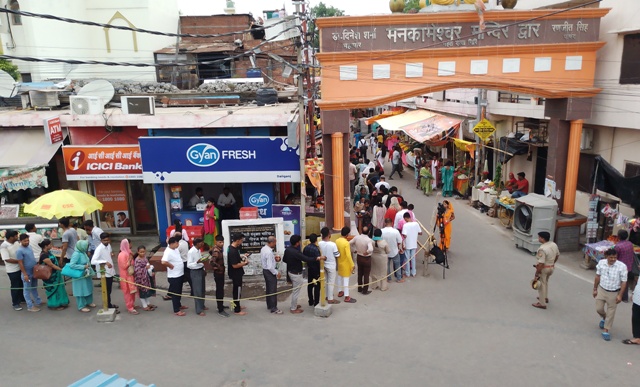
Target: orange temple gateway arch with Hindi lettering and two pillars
368	61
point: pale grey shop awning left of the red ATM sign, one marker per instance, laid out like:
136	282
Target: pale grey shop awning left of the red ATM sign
22	148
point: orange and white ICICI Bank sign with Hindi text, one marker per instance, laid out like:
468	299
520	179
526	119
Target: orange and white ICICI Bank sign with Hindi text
108	162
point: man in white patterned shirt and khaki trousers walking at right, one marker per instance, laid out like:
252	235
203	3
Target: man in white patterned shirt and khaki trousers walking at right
608	287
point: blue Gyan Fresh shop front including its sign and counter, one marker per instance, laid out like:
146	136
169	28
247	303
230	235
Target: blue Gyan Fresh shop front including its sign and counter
235	172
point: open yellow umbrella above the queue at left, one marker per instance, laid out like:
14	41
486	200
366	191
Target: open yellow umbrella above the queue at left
65	202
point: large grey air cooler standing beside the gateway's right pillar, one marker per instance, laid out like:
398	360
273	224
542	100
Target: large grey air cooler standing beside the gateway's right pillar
533	213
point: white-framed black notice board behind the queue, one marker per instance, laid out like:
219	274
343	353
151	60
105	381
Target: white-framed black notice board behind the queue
256	232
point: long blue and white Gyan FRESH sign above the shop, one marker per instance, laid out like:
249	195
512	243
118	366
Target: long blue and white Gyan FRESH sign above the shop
218	160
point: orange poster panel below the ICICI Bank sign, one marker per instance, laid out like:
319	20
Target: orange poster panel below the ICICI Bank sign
114	215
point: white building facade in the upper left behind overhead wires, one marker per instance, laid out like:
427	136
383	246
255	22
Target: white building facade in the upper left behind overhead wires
42	38
